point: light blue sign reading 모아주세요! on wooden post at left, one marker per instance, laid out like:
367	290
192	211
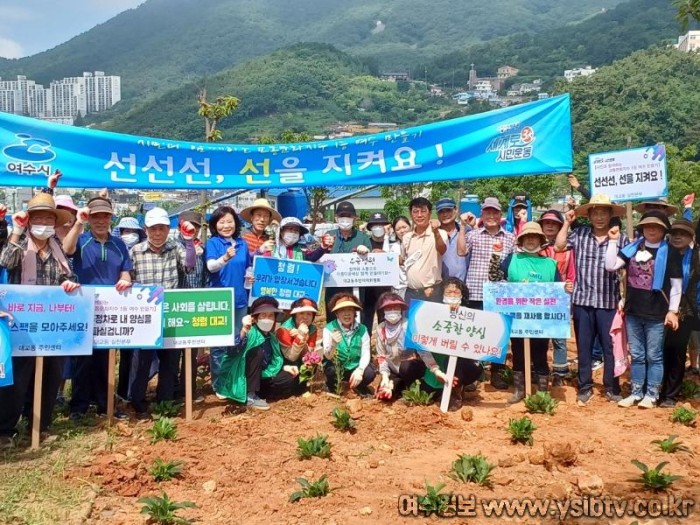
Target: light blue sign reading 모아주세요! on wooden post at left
48	321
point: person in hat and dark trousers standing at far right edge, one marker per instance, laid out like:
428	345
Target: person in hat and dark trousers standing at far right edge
676	341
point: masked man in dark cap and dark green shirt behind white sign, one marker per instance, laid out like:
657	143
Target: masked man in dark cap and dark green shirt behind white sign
347	239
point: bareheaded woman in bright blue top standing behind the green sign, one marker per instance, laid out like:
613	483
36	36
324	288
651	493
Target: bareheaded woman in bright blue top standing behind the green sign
228	258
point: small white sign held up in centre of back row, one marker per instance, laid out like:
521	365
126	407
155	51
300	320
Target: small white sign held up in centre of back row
353	270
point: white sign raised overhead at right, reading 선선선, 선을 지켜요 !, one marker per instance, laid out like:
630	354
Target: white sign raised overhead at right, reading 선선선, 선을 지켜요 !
630	174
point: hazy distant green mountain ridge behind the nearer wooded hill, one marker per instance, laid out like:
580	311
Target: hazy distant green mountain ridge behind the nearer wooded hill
166	43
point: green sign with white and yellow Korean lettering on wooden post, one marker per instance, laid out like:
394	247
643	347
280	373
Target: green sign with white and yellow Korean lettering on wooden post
198	317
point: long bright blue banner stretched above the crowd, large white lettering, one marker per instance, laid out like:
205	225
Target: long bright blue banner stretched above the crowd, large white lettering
532	138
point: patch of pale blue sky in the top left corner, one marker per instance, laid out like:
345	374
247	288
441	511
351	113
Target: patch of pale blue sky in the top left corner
28	27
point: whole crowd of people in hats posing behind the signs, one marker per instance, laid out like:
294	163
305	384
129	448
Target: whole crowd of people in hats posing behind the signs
444	259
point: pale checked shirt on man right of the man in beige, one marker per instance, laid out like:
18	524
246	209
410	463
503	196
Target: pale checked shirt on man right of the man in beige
480	245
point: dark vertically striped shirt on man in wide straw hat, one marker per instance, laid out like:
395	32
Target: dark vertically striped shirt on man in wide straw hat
595	286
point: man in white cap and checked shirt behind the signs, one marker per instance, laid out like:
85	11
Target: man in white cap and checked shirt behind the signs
157	261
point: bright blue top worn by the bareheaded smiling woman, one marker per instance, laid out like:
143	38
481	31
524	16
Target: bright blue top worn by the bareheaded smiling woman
232	275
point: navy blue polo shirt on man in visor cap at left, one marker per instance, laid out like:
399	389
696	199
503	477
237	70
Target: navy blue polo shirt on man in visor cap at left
100	263
